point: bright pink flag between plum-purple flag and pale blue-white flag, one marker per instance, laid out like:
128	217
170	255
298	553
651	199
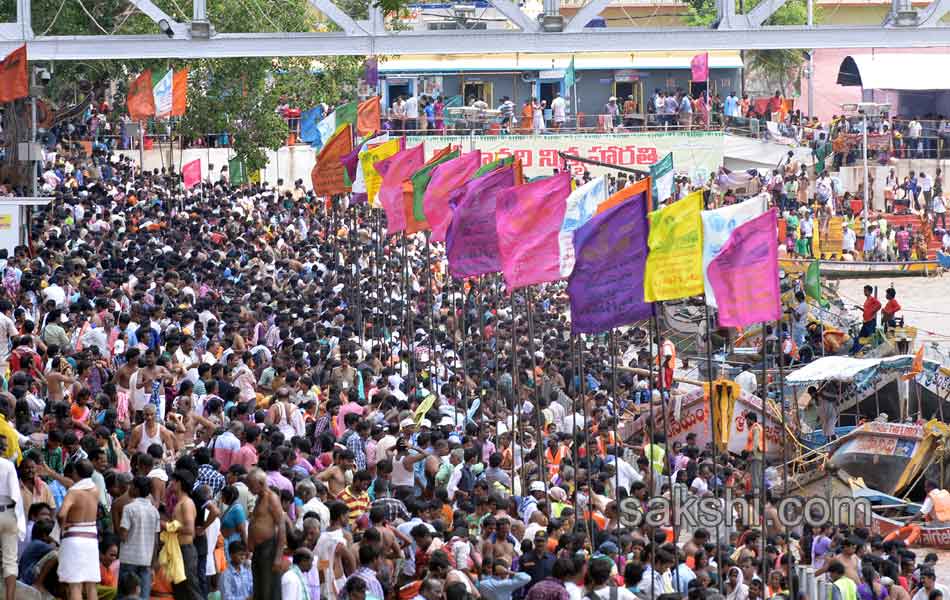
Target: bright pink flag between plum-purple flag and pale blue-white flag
529	219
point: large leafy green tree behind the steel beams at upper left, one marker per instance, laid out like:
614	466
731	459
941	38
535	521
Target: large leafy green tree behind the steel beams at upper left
233	95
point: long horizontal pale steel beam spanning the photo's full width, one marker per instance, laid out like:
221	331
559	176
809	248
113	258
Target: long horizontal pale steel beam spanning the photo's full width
476	42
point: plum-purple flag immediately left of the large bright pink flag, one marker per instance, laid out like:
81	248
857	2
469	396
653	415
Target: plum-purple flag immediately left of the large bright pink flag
471	242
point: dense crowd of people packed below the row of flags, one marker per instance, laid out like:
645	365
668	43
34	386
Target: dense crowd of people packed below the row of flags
249	392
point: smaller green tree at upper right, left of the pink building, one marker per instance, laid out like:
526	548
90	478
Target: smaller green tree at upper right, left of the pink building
776	68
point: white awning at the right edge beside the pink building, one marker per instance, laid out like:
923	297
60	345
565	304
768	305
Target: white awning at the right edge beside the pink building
896	71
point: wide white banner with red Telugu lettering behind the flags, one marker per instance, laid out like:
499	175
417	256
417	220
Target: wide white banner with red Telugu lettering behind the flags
698	153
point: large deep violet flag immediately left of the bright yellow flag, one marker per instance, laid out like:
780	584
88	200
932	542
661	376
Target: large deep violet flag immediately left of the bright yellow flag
606	285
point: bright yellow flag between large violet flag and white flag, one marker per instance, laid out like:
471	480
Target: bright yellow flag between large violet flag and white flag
675	264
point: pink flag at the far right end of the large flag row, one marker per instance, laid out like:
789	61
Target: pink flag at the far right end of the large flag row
744	275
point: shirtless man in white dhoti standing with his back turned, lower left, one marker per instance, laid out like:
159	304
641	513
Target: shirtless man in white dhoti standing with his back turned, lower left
80	539
